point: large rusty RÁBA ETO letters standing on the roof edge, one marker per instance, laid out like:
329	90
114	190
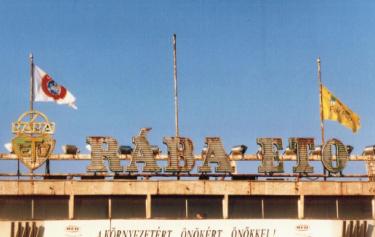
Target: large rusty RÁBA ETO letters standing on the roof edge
181	157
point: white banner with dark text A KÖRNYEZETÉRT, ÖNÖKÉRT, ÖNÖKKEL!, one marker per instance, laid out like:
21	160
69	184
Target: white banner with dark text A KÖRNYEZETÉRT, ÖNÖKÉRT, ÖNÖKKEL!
181	228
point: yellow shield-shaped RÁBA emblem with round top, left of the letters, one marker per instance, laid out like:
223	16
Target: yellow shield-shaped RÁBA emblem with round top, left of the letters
33	143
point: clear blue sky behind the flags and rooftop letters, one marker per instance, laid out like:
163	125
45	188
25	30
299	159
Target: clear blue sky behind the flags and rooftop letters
246	69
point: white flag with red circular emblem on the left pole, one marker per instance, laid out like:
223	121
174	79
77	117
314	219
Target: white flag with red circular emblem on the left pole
47	90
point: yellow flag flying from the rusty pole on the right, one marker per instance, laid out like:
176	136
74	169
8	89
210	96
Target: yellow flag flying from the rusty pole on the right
334	109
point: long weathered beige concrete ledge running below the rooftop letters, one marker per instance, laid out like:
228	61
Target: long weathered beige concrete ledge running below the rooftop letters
196	187
